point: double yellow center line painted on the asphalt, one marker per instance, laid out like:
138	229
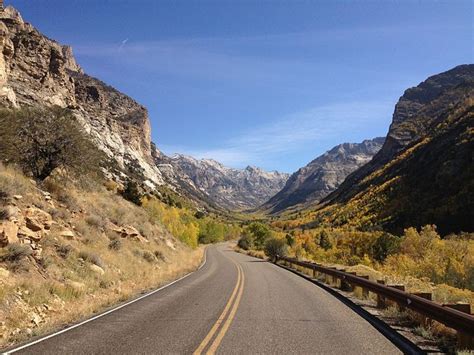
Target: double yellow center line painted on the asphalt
226	317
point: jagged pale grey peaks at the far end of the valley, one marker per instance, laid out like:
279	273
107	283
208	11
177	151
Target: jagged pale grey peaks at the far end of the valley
228	188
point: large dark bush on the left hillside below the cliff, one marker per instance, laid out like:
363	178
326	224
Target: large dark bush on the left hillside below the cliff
43	139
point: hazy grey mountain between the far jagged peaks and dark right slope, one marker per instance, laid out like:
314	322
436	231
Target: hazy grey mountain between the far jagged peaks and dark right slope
323	175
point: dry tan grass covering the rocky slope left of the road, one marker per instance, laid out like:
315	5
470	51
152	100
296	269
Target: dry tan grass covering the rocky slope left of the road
65	286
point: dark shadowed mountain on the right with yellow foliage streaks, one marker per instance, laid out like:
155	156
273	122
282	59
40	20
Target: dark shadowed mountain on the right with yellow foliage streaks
424	173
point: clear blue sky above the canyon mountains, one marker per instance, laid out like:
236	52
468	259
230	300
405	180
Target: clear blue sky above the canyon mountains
266	83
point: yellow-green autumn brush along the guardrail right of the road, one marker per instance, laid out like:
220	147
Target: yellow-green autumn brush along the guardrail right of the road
420	259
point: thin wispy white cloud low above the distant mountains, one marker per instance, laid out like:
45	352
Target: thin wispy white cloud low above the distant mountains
317	126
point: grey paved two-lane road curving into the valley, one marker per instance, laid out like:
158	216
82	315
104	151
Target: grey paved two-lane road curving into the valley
235	304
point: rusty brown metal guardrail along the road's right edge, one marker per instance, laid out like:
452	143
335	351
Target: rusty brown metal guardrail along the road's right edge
452	318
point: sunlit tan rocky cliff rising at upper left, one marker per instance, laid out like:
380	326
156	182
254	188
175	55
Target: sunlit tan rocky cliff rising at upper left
35	70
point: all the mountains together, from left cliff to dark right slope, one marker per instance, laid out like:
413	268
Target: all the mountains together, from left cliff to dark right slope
421	173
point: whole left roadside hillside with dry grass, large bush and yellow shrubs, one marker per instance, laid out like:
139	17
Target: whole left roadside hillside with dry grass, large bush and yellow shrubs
72	241
